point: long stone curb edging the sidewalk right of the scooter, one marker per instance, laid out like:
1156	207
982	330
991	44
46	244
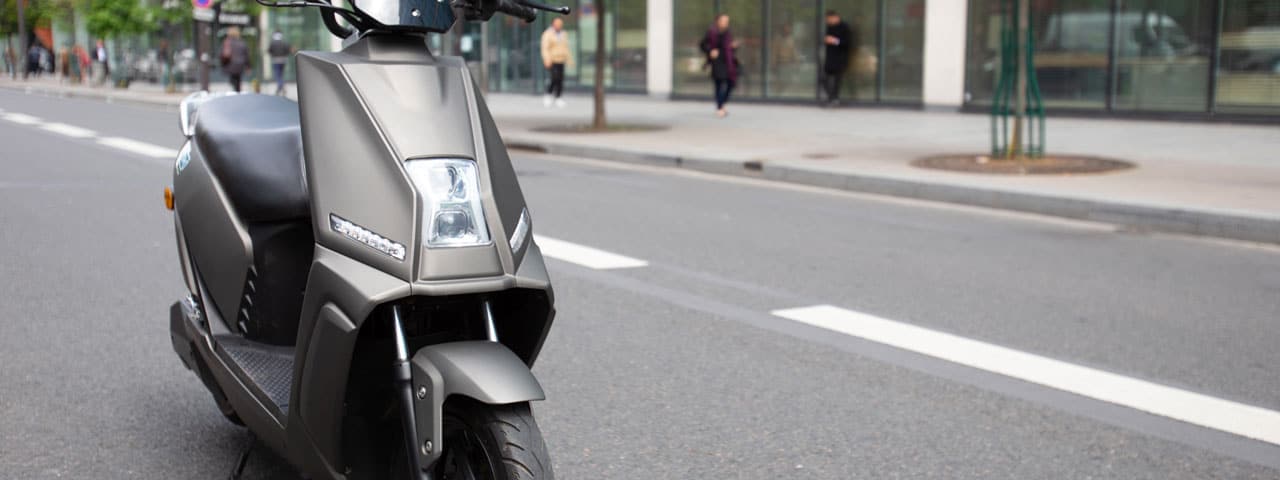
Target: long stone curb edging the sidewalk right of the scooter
1151	218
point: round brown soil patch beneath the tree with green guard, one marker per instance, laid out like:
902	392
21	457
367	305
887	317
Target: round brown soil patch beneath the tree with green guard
1045	166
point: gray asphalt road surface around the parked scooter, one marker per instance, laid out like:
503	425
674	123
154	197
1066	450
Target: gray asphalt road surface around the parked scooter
678	369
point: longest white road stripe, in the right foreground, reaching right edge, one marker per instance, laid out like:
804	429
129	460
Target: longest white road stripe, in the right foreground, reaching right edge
1191	408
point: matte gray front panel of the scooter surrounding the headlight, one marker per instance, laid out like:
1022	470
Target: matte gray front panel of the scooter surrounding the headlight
373	107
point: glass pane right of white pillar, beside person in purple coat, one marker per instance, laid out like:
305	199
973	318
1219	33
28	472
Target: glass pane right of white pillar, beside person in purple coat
693	20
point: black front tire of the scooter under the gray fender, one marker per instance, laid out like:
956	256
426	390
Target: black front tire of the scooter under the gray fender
496	444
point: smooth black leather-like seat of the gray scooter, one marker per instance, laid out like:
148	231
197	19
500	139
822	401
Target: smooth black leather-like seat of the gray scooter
254	145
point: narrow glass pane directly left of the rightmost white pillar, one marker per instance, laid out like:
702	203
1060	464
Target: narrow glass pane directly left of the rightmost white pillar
904	51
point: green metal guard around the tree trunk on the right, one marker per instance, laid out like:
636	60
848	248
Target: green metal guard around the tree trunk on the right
1018	108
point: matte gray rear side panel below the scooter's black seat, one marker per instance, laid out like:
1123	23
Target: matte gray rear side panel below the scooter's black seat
217	240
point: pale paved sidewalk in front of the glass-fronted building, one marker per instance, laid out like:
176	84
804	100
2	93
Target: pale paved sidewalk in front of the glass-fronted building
1197	179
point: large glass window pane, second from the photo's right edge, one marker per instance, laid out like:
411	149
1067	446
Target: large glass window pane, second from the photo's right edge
1163	56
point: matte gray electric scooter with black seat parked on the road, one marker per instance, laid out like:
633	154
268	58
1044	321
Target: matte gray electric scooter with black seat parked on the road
365	291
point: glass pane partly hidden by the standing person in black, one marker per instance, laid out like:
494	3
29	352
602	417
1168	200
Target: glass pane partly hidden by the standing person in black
863	72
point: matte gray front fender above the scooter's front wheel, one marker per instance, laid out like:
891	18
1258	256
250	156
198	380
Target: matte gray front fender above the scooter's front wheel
484	372
